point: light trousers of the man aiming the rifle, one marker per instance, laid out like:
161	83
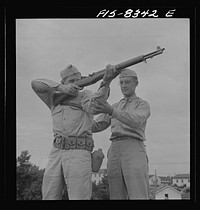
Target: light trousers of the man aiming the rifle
71	168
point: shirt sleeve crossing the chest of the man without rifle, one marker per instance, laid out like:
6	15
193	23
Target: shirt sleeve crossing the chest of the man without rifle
135	117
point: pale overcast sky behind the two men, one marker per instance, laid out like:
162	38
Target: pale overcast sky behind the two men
46	46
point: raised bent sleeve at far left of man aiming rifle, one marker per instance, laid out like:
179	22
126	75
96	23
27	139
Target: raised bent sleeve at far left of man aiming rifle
44	89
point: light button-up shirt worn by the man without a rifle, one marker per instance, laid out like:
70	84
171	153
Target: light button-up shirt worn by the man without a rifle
128	119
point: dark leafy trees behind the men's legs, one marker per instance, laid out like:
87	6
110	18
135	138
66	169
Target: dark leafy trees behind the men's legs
29	181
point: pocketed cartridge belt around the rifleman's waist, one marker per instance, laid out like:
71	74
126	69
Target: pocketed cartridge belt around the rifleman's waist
73	142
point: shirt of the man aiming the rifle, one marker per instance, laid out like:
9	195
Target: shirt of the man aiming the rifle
69	120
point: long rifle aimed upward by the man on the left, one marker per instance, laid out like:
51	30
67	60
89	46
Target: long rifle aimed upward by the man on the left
96	76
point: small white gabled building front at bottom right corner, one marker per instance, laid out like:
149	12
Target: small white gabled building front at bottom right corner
166	192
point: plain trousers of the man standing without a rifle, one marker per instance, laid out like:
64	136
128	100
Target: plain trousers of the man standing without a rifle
128	170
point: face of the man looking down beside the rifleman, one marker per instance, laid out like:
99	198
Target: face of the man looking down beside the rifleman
128	85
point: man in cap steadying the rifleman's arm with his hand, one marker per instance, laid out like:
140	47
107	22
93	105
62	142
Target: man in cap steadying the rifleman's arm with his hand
127	164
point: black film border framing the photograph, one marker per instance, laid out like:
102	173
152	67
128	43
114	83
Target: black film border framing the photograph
61	10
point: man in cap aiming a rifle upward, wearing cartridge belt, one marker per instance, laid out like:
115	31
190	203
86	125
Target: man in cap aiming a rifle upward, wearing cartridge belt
70	157
